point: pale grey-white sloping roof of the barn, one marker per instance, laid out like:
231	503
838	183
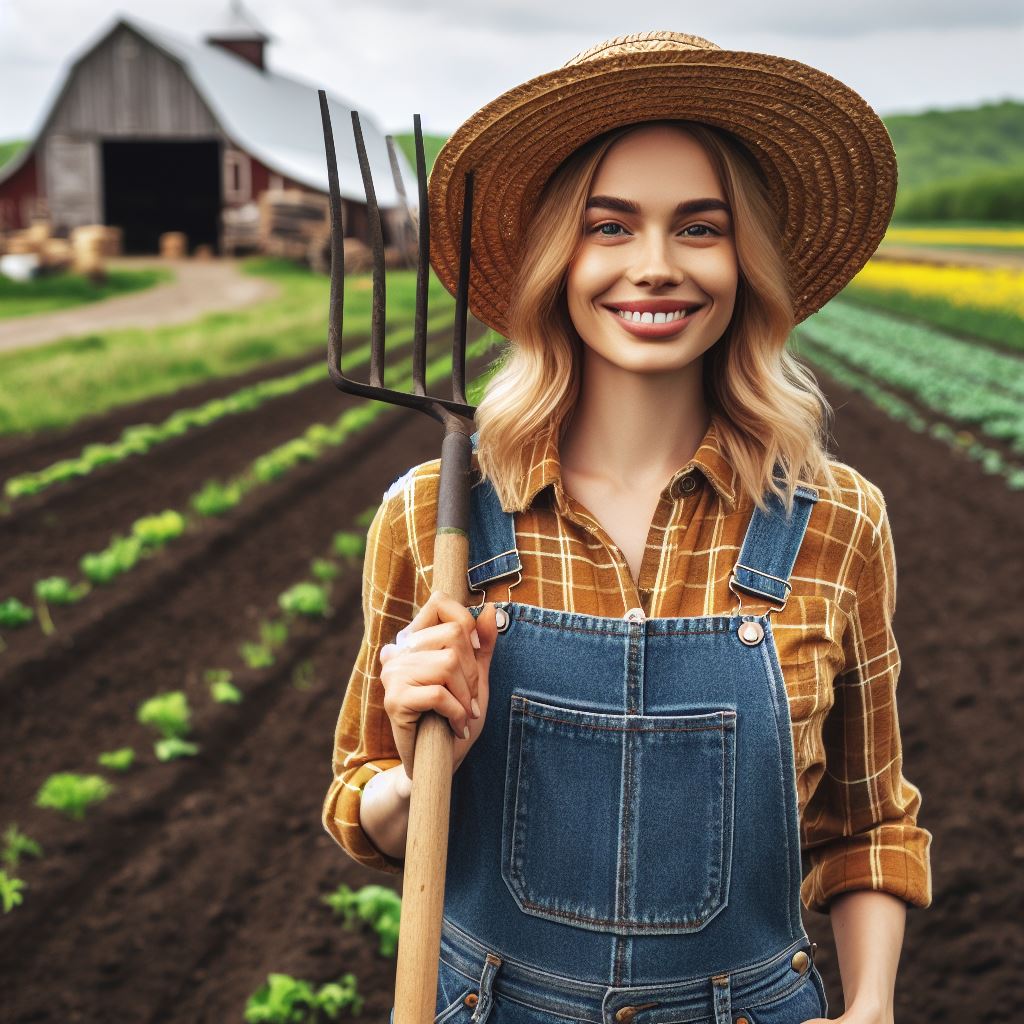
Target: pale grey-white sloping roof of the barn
274	118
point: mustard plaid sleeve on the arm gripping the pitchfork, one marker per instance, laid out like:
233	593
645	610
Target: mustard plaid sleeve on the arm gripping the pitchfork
364	743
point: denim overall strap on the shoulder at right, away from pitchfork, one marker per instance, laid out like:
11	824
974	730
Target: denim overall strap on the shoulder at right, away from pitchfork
771	546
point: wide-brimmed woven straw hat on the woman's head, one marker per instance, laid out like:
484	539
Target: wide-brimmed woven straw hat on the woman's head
826	154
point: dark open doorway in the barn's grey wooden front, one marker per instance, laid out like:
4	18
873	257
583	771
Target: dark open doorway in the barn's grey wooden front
152	188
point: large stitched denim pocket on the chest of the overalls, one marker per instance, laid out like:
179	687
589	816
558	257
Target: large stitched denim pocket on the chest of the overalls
619	823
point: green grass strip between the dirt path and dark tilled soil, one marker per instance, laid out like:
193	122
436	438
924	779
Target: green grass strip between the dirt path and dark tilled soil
56	386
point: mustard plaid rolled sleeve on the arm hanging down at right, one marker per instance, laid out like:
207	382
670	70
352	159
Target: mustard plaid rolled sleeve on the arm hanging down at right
861	829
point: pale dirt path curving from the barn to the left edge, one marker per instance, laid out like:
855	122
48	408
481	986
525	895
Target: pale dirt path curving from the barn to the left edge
200	287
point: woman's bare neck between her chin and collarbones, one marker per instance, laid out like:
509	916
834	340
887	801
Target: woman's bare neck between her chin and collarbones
634	431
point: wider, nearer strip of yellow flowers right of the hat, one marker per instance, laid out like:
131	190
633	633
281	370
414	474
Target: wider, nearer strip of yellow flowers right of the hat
1001	289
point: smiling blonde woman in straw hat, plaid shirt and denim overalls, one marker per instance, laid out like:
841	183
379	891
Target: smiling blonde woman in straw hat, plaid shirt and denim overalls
681	674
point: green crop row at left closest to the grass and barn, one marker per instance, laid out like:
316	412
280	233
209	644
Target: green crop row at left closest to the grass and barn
141	438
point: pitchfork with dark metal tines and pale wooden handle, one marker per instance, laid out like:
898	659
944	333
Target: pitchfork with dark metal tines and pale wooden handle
426	847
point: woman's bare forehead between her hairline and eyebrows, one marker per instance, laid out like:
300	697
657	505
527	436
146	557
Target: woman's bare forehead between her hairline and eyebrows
654	160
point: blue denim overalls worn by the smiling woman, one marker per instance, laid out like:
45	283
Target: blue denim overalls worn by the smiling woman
624	840
